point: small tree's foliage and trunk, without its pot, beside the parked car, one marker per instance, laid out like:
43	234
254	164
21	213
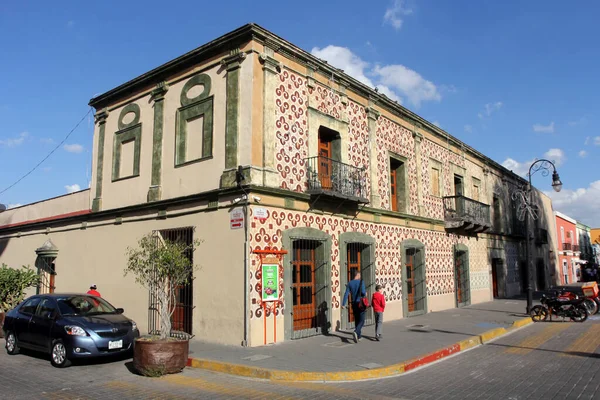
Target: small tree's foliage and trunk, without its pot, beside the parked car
161	266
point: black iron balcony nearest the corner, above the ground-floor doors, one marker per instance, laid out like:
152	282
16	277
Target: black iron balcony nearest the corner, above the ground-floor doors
331	178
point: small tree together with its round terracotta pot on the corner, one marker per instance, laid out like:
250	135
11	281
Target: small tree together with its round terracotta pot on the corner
161	266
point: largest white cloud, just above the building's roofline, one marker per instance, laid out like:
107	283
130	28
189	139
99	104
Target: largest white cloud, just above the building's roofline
395	81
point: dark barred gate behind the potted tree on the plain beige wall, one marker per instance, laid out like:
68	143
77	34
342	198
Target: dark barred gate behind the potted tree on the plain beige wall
181	319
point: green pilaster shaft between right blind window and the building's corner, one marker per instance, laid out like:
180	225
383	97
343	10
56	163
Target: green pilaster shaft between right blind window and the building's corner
232	114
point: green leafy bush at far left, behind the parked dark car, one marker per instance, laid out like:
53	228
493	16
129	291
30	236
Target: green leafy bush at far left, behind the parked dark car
13	283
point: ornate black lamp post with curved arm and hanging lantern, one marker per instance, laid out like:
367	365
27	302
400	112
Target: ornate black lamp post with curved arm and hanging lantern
527	212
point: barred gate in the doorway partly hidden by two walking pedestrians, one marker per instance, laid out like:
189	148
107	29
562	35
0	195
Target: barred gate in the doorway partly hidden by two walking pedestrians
359	259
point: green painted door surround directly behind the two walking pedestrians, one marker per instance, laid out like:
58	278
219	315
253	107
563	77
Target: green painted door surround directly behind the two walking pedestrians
344	239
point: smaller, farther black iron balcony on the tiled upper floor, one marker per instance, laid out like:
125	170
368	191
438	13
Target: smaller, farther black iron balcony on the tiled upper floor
465	215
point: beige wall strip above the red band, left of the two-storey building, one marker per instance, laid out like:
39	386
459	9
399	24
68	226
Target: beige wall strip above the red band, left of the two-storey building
66	204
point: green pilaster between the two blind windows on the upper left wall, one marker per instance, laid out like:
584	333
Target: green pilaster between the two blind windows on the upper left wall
158	96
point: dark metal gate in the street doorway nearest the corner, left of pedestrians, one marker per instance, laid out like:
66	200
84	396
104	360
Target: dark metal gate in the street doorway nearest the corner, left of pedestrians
309	288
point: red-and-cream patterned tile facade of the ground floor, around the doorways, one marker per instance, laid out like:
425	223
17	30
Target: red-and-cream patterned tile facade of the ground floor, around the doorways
438	250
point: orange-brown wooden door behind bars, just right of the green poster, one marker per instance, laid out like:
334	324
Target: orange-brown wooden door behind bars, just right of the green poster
303	286
